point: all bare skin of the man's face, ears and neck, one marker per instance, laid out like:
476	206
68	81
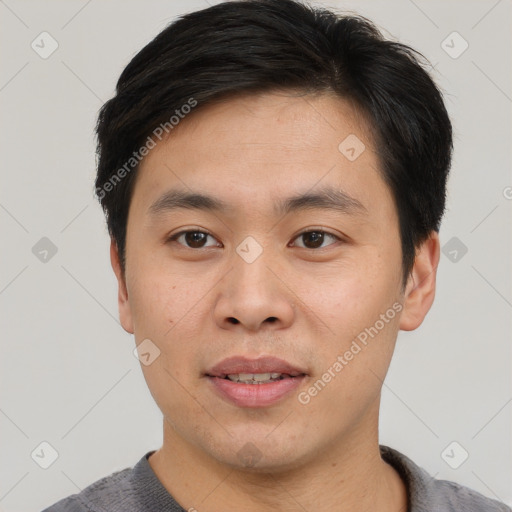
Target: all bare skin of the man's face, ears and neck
251	151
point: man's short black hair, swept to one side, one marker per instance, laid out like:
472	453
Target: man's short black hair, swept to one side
254	46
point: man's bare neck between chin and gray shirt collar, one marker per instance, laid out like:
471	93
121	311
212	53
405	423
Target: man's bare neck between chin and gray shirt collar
350	476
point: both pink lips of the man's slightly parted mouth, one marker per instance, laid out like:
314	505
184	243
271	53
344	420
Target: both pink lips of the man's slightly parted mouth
254	395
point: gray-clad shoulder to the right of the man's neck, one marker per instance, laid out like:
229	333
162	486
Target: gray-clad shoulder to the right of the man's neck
427	494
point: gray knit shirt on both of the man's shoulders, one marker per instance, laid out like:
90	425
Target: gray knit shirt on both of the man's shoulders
138	489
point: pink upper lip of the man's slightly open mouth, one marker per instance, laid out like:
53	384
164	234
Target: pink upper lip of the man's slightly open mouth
241	364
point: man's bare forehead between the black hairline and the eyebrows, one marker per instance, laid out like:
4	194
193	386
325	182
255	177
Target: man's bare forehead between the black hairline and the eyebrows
258	147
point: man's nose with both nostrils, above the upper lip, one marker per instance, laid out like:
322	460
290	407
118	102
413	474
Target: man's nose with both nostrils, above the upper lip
253	295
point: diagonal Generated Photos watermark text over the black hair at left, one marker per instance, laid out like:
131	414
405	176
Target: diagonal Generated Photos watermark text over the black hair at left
137	156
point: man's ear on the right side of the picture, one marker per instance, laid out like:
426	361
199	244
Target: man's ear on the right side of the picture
421	284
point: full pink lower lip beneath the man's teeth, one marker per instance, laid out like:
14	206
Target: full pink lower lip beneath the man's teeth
255	395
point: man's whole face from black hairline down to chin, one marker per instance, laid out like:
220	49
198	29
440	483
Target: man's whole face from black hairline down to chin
262	281
